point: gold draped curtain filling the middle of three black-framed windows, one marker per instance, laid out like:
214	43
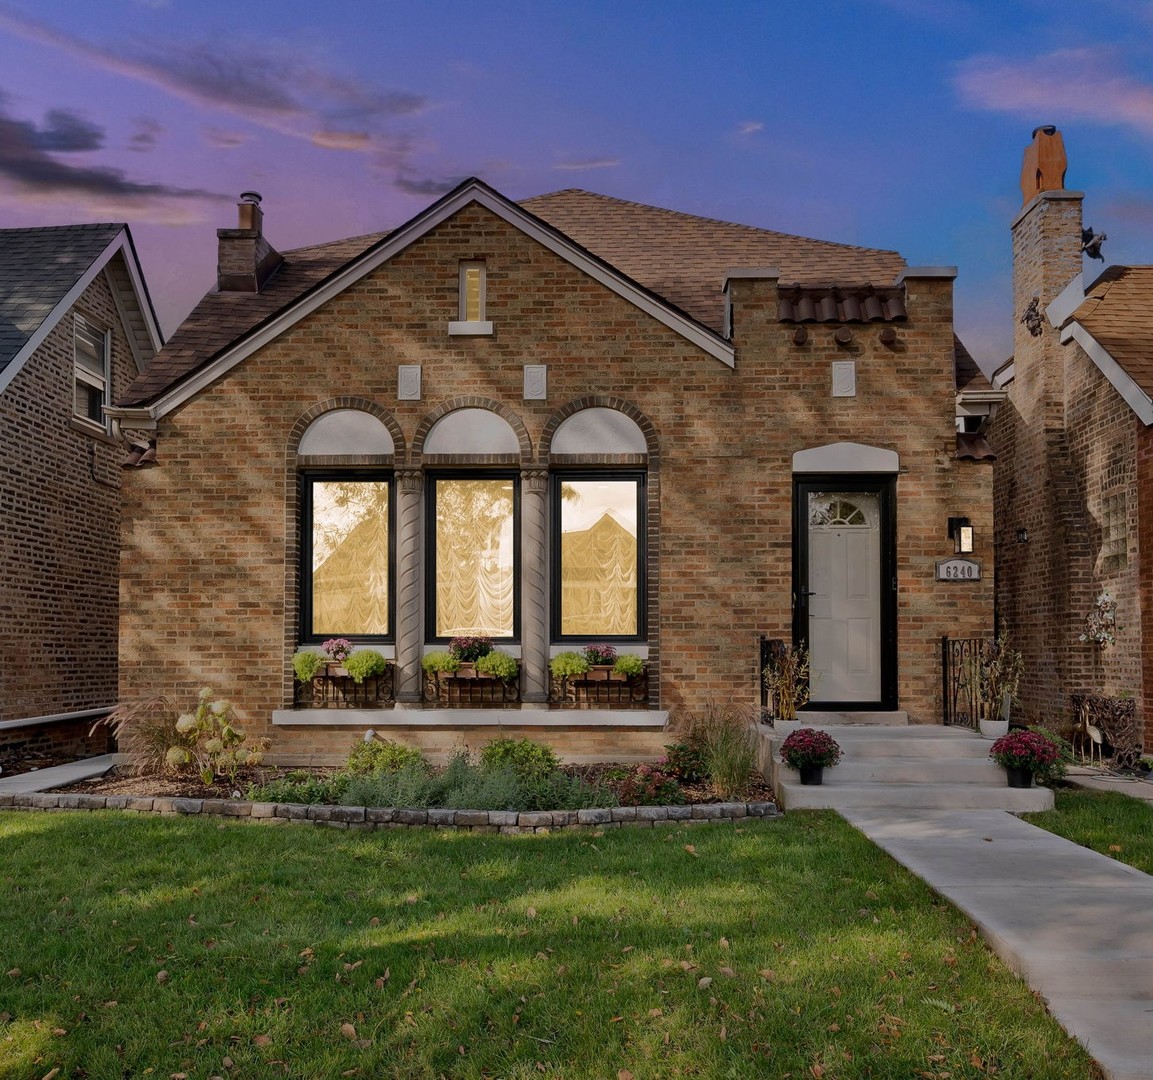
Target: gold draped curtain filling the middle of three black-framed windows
474	558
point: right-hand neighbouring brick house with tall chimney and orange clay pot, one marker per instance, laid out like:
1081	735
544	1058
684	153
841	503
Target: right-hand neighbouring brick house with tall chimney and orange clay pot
1075	473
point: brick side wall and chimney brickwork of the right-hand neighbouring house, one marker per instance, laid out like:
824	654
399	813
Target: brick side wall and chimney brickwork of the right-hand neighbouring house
1068	462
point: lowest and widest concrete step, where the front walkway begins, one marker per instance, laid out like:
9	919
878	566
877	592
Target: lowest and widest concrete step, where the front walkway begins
915	797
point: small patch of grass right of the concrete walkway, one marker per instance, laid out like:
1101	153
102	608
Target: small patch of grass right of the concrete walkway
1112	824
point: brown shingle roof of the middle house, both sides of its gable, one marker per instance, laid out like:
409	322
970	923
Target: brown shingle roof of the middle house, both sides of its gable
681	258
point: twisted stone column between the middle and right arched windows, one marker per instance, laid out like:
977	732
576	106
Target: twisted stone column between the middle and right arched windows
534	610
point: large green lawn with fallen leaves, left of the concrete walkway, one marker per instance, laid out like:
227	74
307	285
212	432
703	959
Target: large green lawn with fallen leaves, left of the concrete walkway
141	946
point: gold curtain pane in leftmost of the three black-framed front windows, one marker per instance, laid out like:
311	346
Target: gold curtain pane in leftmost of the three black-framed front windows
350	557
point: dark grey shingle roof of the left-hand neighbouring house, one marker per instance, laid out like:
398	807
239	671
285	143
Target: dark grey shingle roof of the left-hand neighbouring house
37	269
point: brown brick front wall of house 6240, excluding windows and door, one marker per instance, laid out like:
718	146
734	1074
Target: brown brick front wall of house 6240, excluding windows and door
209	537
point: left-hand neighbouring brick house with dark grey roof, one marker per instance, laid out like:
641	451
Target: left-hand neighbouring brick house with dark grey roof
77	328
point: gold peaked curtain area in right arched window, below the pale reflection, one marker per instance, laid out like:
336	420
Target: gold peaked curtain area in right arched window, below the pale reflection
599	579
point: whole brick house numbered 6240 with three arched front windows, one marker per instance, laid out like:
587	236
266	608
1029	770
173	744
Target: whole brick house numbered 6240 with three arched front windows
569	420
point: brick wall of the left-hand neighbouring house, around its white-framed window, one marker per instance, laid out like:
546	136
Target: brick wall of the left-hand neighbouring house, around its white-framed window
59	504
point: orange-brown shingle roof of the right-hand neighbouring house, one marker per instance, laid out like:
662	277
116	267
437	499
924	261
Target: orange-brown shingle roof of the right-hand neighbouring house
1118	312
